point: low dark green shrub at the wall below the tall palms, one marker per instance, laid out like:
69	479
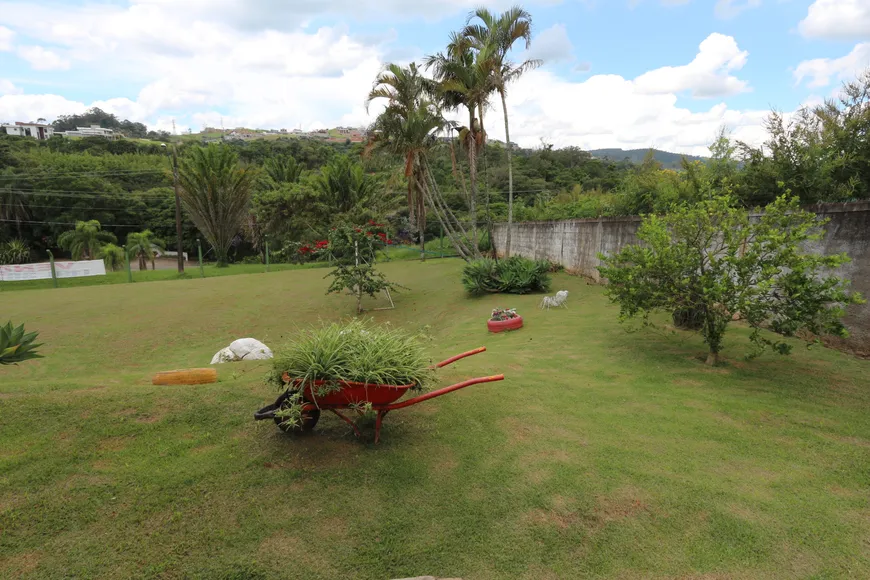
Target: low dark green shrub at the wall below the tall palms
514	275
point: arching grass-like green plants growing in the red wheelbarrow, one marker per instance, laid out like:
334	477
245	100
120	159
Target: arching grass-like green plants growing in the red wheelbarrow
357	351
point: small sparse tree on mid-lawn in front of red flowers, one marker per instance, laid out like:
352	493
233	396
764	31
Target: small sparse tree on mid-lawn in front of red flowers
354	250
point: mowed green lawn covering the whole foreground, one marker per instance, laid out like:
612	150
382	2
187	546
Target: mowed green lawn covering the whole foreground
603	454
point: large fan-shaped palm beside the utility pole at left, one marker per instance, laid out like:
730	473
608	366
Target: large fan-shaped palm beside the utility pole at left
215	191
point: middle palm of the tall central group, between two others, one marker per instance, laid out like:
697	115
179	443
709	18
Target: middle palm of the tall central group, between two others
465	79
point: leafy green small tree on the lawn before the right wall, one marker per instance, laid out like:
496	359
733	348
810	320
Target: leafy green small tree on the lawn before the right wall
714	260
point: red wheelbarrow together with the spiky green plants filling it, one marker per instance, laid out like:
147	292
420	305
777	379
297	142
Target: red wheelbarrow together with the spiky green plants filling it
356	367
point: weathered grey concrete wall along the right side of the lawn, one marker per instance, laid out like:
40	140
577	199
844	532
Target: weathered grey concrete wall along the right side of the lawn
576	243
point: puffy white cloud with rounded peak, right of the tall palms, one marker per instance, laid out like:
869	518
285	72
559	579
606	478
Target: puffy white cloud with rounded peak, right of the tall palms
706	76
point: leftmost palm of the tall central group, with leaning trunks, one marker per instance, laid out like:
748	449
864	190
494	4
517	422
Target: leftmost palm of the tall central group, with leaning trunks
409	128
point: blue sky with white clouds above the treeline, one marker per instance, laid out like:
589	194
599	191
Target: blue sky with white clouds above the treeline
618	73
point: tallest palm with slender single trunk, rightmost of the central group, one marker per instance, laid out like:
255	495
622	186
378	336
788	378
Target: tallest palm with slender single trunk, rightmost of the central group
499	34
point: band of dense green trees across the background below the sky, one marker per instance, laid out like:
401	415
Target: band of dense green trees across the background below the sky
301	187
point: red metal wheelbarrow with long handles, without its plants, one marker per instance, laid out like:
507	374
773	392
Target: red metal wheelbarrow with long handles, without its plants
355	396
